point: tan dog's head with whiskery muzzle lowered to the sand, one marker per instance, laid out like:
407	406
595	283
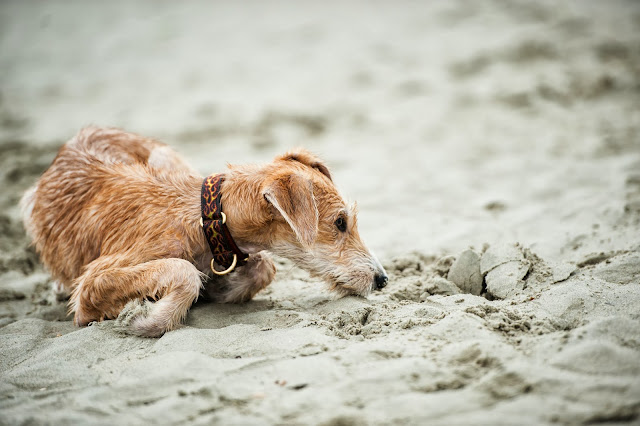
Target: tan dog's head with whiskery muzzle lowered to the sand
312	225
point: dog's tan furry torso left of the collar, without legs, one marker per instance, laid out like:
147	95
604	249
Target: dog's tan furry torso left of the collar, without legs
101	194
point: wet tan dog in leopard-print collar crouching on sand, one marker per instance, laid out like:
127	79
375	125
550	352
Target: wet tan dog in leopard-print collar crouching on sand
122	222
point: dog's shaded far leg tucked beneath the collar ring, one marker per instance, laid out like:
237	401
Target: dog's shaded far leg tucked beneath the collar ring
245	282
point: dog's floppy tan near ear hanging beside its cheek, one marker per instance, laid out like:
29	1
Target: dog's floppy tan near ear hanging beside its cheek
292	196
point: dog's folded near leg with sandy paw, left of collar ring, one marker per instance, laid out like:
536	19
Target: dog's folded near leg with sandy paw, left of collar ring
106	286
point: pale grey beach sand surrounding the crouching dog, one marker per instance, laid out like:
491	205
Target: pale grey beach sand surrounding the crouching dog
493	149
